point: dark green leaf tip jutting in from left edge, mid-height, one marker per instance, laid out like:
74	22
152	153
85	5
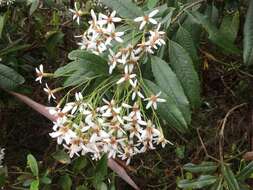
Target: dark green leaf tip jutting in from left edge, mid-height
9	78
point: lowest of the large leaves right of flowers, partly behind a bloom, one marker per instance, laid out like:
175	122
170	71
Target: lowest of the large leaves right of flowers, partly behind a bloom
168	110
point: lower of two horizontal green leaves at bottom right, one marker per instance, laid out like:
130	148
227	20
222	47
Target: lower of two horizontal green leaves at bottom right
201	182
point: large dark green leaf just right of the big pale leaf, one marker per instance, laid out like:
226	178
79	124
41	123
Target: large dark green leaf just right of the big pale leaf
182	65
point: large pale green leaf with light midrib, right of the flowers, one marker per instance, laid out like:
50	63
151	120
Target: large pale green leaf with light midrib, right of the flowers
170	85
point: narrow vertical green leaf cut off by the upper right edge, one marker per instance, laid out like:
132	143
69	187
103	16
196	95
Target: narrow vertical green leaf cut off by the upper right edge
248	37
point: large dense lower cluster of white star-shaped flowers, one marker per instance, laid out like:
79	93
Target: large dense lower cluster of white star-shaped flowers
110	128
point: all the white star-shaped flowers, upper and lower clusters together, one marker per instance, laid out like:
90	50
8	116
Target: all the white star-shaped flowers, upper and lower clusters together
118	126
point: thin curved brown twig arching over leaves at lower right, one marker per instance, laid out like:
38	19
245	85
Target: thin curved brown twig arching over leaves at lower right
221	134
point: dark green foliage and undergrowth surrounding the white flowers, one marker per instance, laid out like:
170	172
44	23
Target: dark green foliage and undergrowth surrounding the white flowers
207	61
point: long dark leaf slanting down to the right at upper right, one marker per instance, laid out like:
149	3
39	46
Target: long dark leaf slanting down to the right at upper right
214	35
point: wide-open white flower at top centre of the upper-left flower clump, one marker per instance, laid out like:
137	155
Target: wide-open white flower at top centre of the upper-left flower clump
109	20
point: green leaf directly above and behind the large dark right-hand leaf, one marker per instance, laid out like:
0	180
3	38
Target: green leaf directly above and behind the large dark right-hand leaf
184	38
